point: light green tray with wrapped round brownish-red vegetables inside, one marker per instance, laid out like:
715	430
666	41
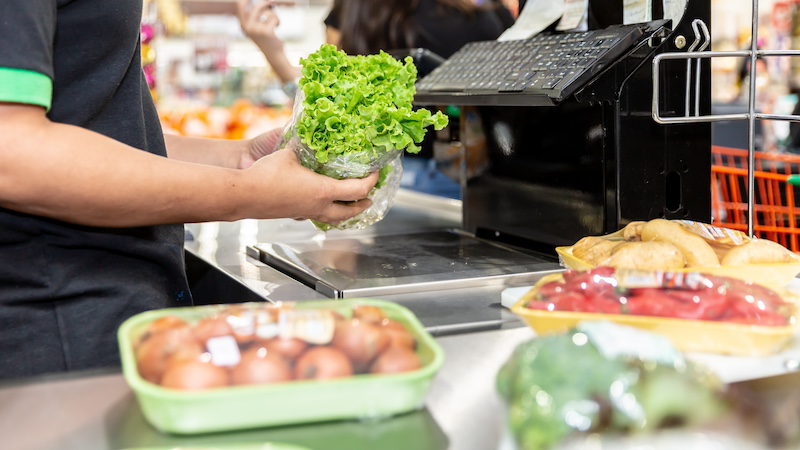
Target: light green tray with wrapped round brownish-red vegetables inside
214	368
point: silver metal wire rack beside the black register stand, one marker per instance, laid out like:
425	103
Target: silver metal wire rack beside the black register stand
694	53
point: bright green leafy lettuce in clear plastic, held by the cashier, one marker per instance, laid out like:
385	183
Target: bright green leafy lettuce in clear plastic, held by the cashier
353	115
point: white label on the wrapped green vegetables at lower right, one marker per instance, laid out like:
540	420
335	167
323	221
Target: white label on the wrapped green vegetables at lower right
615	341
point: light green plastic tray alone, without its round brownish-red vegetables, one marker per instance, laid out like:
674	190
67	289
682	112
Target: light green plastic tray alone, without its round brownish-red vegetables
366	397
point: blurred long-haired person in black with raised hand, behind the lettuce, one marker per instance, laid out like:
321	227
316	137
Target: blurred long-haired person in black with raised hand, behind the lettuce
441	26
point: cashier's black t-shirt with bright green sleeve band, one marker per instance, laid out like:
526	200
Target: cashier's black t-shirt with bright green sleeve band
65	289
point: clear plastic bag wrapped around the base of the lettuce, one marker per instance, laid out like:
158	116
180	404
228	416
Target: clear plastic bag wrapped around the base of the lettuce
351	165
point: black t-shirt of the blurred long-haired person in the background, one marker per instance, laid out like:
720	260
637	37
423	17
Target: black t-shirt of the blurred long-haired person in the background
445	30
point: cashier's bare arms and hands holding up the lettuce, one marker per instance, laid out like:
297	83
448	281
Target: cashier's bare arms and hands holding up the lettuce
75	175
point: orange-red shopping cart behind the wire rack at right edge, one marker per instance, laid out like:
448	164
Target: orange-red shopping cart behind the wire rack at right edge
774	215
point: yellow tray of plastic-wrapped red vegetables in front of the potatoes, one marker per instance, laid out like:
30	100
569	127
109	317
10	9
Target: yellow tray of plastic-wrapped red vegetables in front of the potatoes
696	312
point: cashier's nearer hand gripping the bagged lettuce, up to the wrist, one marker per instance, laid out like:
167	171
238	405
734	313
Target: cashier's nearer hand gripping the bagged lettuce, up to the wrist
293	191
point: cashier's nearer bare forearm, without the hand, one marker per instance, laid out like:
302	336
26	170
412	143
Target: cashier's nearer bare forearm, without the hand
75	175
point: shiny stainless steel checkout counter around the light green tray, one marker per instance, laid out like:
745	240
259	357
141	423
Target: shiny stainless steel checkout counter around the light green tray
97	411
